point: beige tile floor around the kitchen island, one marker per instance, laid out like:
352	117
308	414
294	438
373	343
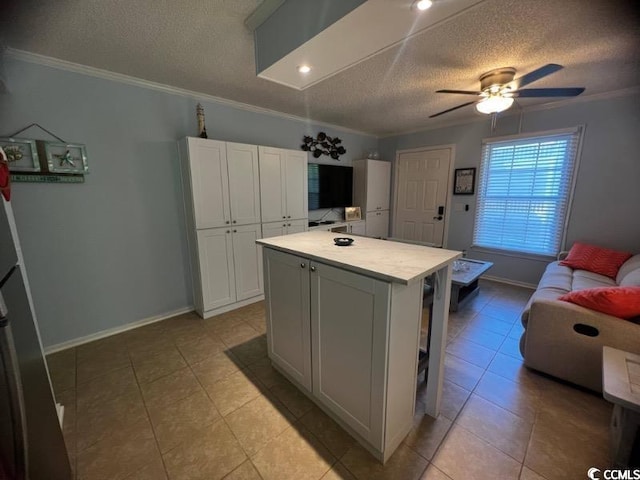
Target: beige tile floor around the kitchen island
193	399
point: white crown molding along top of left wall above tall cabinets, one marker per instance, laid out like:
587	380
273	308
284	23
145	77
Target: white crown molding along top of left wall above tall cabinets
65	65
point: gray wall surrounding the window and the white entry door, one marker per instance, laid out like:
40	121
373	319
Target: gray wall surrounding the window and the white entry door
607	194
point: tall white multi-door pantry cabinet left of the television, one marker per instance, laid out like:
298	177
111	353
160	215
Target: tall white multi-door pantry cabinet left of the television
222	189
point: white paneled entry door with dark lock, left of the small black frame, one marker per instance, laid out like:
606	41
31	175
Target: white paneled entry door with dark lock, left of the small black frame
422	183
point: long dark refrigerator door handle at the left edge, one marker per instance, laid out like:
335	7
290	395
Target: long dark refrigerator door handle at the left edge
16	400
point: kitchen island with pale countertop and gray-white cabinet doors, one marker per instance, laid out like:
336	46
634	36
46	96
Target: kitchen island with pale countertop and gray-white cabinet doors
343	324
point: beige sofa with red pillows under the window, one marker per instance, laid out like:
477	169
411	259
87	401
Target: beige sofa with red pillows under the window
566	340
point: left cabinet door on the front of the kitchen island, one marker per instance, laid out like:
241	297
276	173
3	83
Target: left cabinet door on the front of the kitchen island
287	306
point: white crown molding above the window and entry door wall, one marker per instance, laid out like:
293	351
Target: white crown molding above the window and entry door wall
623	92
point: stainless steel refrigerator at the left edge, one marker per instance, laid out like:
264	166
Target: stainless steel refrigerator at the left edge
31	442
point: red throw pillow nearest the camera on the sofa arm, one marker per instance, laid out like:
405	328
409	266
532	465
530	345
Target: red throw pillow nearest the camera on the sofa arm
622	302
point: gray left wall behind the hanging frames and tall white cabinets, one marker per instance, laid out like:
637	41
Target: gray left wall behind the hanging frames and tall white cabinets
113	250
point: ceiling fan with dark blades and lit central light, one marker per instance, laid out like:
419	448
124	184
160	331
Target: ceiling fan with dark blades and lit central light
498	89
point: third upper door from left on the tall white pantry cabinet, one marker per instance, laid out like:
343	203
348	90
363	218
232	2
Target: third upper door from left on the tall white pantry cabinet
272	184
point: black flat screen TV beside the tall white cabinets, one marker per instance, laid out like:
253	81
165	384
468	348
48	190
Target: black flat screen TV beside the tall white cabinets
330	186
